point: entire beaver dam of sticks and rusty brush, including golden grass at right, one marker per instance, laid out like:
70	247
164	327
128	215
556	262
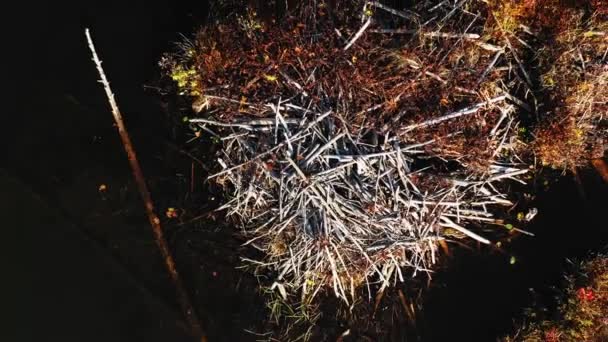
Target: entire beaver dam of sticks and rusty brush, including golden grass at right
355	145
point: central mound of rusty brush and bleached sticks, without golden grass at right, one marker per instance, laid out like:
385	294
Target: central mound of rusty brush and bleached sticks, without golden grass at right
357	138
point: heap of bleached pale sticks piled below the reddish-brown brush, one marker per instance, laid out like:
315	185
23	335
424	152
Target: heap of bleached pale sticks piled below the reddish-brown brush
333	206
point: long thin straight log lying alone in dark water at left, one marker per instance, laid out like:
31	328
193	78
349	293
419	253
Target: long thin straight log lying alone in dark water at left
182	296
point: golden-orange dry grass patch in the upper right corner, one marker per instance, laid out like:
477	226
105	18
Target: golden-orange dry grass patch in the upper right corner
570	61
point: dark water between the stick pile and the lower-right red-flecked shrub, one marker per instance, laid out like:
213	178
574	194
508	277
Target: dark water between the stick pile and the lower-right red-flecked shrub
481	295
